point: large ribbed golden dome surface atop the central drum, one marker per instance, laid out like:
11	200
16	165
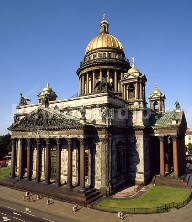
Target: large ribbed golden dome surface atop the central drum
104	40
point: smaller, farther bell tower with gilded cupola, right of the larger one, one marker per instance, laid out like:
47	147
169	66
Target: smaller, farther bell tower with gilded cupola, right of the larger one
157	100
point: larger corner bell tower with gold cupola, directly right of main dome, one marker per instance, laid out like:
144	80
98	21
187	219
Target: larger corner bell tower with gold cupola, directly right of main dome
133	85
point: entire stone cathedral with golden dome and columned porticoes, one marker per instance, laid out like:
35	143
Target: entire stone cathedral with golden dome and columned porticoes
106	136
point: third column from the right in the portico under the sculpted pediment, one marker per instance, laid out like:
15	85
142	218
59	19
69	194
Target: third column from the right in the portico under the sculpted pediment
58	163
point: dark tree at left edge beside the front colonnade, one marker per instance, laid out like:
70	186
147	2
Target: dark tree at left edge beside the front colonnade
5	144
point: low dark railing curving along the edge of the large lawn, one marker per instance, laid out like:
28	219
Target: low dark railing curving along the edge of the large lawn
158	209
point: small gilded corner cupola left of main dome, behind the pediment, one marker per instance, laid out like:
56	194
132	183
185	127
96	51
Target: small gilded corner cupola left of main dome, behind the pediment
48	93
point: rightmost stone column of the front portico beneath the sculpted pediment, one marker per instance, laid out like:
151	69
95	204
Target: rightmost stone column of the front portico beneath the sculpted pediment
82	164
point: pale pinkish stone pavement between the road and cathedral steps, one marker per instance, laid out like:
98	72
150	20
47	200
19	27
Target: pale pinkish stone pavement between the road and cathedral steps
85	215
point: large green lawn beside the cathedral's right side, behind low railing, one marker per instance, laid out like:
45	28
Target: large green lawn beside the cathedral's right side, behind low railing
155	196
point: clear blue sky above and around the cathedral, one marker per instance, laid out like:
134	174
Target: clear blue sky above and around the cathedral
44	41
